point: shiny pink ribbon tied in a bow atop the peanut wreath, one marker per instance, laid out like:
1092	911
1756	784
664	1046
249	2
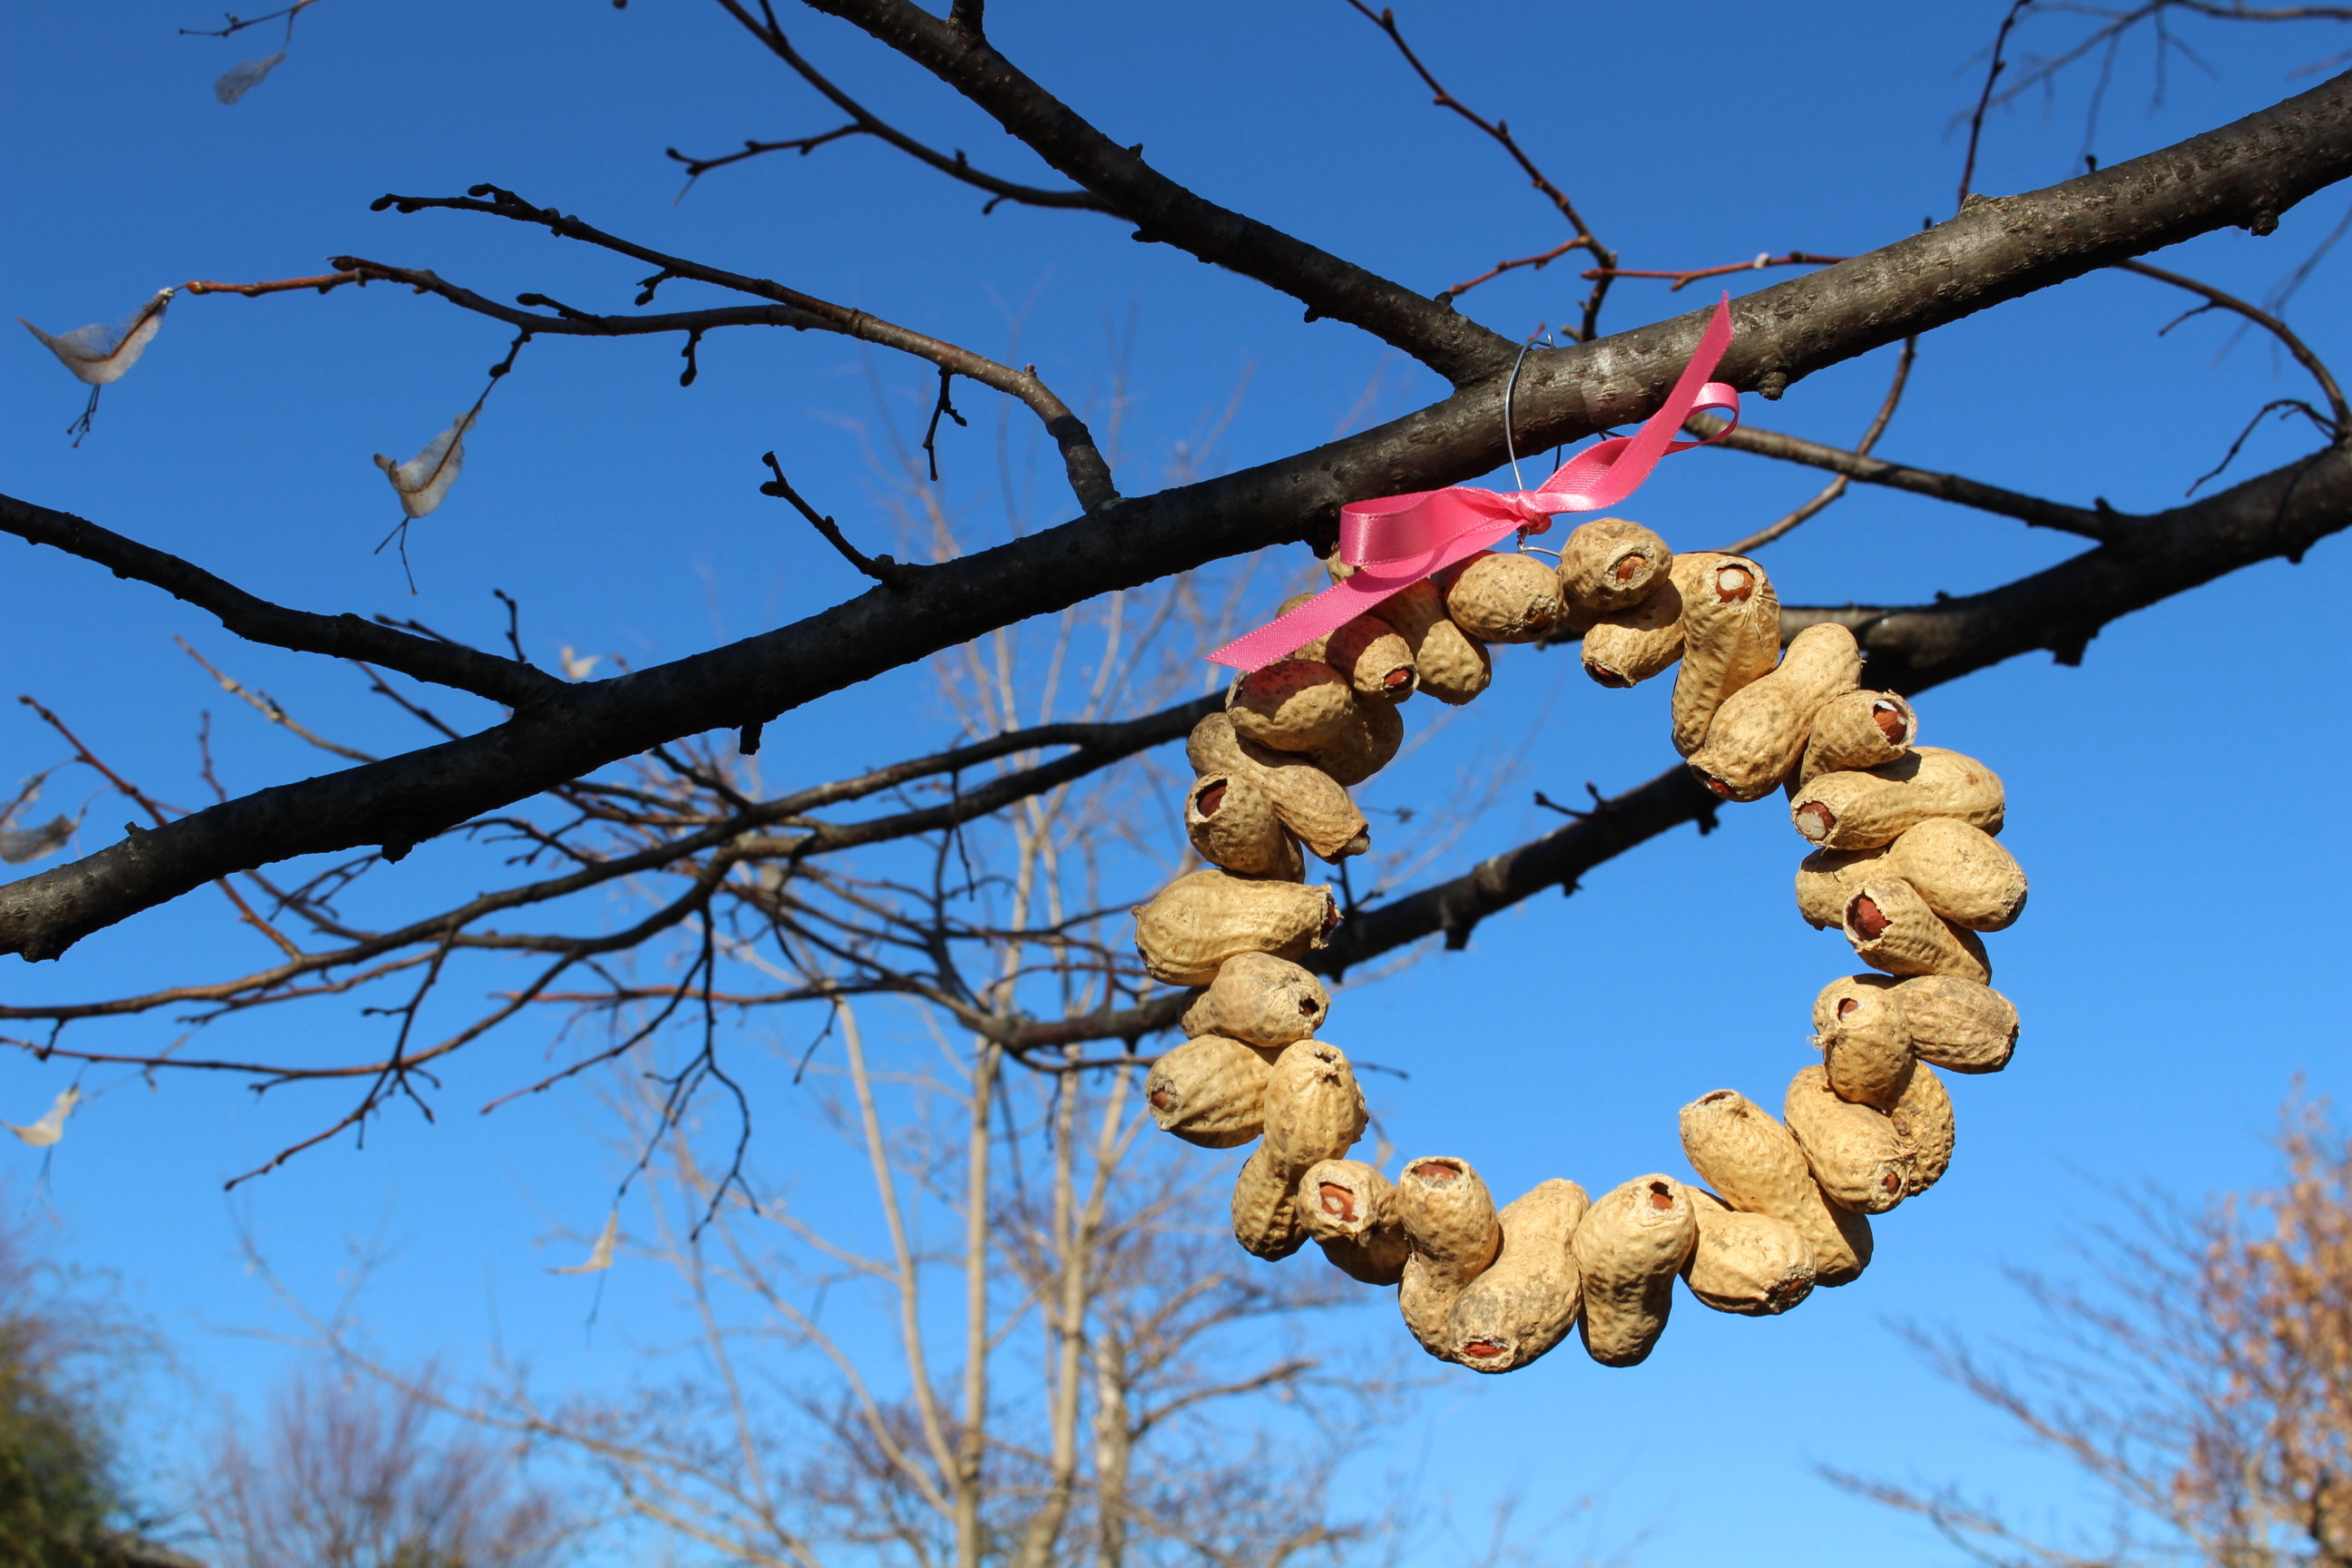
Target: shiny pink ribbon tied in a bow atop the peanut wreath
1401	540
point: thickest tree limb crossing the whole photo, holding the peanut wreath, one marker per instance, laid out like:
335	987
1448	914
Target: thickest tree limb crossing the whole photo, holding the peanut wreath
1991	253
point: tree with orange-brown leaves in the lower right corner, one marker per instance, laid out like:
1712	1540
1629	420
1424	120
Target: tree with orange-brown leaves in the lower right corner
2203	1381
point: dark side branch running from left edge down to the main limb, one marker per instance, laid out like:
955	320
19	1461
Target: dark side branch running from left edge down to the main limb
443	664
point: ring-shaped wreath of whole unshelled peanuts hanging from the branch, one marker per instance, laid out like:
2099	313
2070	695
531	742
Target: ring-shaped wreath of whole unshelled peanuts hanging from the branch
1904	859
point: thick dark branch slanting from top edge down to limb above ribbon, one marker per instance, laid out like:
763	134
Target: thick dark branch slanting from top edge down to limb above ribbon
1168	213
